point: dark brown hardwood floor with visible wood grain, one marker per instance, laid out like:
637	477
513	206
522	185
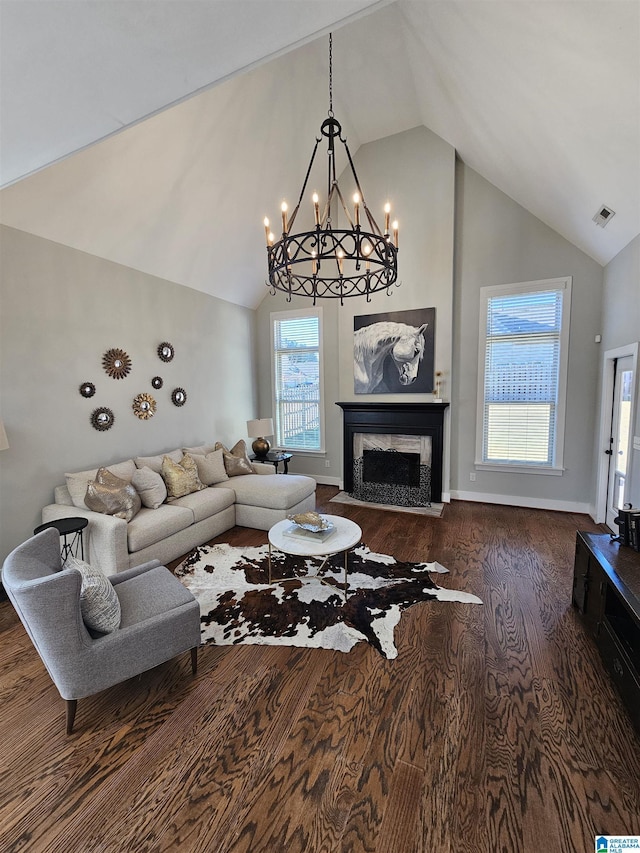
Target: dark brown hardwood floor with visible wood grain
495	729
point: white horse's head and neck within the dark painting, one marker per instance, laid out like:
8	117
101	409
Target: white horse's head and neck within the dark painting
374	343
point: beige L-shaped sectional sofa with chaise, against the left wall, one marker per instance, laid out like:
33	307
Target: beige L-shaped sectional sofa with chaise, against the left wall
174	527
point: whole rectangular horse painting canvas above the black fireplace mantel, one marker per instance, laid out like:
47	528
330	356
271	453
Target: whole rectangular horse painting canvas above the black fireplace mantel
393	352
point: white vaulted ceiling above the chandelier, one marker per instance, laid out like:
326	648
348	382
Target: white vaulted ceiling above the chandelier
540	97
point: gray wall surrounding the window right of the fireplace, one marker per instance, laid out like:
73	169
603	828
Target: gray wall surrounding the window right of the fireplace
499	242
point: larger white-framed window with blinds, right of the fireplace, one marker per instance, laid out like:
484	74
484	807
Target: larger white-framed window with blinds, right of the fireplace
524	339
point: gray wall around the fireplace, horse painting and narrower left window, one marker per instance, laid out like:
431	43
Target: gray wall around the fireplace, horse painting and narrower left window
414	170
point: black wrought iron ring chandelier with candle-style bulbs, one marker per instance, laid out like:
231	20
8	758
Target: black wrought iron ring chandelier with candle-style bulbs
330	262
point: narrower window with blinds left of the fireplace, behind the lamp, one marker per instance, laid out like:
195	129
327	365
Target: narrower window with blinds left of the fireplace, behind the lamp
297	379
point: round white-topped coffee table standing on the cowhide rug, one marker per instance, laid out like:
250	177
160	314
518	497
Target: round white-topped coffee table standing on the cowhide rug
345	536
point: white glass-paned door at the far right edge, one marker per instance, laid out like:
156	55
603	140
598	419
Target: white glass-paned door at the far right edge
620	438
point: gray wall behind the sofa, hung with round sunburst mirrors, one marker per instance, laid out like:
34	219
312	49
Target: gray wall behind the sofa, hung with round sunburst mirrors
60	311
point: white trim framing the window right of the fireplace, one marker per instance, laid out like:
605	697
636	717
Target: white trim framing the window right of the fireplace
563	284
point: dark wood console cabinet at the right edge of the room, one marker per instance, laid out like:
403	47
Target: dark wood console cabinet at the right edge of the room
606	593
